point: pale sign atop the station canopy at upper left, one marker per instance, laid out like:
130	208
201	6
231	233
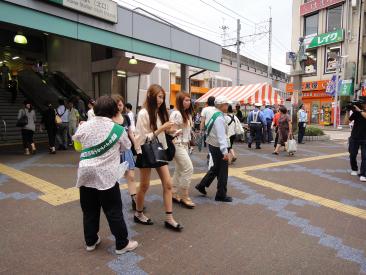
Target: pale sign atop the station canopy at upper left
105	9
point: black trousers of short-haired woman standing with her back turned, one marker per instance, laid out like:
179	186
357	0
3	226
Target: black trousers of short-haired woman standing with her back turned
91	200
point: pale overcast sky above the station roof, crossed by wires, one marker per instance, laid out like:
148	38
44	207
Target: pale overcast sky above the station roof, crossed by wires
206	18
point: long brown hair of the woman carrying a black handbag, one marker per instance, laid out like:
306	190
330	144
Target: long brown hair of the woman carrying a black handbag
151	106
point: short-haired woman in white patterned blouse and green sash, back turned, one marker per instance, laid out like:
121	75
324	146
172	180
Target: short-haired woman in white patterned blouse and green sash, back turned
99	169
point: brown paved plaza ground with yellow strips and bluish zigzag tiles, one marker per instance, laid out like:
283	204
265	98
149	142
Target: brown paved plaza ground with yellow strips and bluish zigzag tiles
290	215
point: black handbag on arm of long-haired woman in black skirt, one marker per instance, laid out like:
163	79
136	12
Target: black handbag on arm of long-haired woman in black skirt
153	152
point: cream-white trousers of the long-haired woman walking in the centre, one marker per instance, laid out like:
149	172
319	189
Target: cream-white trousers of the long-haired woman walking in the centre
183	167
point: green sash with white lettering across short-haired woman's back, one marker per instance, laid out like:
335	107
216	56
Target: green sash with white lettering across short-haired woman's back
101	148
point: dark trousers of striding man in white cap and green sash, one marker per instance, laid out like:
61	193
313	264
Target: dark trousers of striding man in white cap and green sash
220	170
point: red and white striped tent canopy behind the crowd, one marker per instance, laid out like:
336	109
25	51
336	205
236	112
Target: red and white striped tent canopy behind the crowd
248	94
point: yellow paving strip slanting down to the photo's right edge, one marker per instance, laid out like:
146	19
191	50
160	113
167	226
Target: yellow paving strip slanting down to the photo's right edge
351	210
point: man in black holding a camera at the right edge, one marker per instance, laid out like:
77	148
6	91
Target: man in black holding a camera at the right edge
358	137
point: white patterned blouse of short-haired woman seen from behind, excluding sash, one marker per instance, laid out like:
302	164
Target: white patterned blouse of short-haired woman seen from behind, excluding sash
101	172
